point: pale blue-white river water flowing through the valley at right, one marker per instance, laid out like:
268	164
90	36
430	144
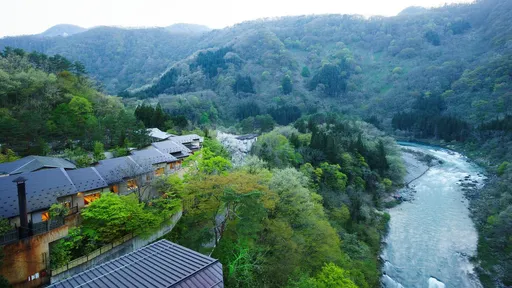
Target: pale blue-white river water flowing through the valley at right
432	236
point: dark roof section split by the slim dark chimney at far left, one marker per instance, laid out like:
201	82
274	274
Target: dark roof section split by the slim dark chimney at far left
42	187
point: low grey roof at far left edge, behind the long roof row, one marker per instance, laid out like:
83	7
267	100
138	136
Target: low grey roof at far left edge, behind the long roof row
34	163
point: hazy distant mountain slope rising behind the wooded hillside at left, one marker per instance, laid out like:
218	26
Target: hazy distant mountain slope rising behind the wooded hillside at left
119	58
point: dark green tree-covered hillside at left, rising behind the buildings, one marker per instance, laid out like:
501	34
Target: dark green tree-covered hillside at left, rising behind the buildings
47	104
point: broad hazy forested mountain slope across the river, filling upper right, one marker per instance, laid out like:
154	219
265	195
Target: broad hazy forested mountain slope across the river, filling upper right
371	67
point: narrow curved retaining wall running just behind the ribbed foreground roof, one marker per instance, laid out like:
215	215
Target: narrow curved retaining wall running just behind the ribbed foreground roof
118	251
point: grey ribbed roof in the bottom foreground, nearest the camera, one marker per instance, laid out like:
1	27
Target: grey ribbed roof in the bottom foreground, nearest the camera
161	264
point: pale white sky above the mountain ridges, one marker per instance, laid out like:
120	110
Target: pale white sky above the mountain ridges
20	17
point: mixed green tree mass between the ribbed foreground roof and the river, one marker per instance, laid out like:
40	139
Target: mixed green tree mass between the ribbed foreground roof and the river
301	211
